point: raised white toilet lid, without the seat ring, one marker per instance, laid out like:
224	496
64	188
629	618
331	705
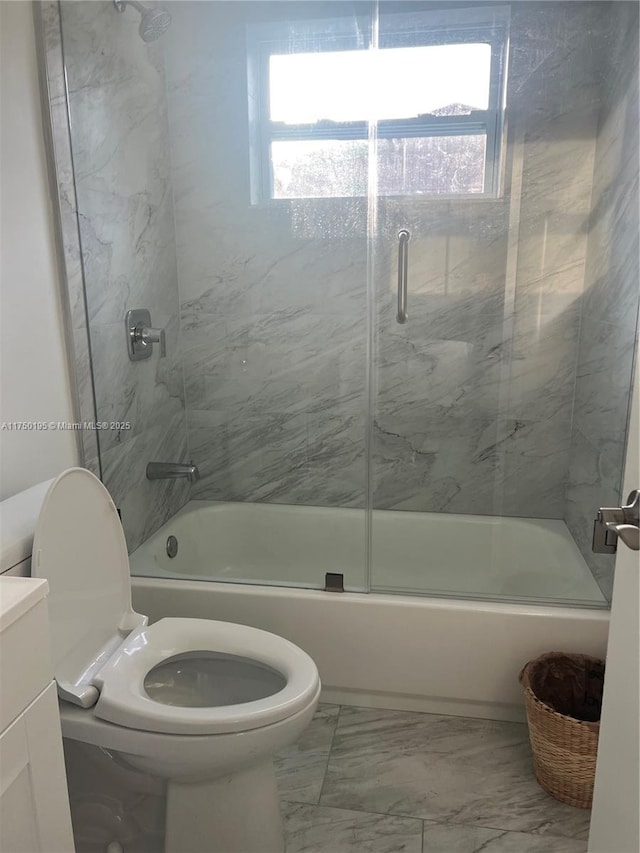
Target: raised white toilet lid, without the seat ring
79	547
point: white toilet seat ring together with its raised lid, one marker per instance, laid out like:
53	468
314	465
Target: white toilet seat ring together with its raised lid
103	650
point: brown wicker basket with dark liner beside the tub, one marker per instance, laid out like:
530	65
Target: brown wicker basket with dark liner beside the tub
564	745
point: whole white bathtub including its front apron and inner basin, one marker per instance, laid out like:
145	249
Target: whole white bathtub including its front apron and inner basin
529	591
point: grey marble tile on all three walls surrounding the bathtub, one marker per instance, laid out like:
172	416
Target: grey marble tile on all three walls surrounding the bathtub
473	399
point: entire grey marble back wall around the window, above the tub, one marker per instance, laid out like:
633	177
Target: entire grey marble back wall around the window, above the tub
473	397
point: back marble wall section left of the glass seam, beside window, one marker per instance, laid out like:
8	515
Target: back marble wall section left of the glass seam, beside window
273	297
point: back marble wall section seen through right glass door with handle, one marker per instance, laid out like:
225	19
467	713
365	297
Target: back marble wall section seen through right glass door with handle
474	394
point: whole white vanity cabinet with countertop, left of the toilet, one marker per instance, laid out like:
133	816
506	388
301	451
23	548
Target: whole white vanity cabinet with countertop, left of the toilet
34	805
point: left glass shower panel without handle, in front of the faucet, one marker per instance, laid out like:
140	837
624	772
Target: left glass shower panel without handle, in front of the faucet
221	183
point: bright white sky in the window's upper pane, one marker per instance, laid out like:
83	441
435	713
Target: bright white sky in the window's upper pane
389	83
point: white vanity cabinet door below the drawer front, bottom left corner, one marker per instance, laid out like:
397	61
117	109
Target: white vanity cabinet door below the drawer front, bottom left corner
34	807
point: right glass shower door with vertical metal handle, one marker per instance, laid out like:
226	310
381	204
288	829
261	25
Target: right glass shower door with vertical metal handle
486	136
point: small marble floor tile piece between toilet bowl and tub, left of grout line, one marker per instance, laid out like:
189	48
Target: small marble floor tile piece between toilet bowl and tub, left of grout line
301	767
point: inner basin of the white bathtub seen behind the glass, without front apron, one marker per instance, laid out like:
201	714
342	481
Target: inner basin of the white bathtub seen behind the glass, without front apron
416	552
